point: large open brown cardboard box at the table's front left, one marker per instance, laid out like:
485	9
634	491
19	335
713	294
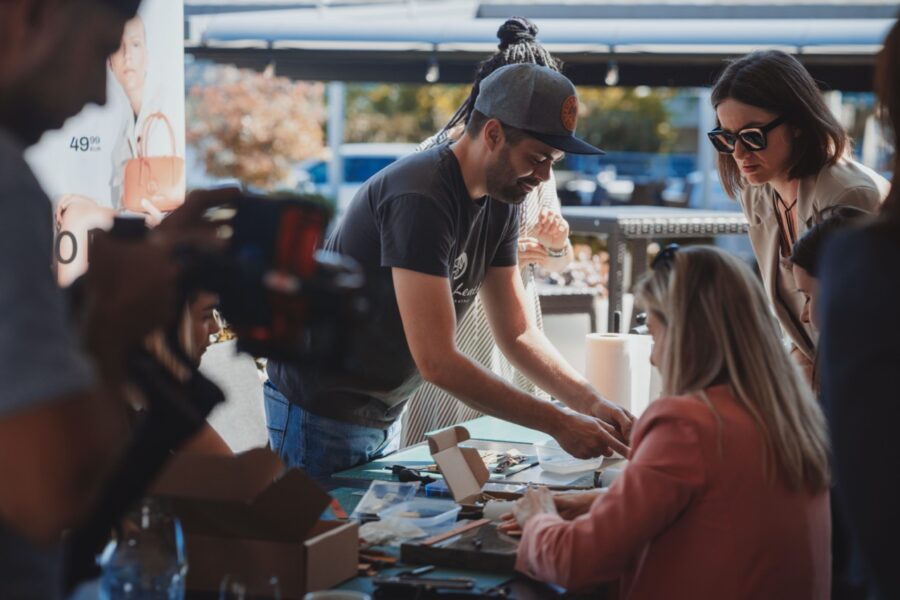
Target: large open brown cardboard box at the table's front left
249	517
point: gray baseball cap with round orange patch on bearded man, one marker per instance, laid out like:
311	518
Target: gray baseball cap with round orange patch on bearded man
537	100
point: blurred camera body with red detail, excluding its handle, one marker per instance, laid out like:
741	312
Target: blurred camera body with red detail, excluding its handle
284	298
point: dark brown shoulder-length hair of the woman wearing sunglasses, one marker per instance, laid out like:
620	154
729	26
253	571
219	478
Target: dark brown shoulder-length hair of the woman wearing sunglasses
777	82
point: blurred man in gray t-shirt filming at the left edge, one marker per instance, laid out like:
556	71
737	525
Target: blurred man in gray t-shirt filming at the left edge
62	407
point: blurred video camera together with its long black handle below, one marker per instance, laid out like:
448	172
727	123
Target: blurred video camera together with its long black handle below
283	297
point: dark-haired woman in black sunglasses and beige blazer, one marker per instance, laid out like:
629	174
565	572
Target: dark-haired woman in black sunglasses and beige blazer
786	158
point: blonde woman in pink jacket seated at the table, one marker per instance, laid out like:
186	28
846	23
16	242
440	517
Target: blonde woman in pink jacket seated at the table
726	490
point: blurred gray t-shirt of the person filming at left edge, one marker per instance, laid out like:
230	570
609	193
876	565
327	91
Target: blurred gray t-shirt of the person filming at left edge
40	360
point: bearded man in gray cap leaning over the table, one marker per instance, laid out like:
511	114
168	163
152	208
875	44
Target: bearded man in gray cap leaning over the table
434	230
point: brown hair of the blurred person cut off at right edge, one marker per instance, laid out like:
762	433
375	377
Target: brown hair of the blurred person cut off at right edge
887	86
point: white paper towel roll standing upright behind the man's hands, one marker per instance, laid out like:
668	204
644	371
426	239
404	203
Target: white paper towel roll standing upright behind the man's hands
618	365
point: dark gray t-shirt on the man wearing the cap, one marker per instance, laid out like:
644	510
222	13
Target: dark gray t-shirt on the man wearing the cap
416	214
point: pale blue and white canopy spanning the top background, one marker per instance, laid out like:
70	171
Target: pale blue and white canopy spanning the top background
397	42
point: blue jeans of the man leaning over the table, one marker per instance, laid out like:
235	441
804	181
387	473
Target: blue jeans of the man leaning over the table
319	445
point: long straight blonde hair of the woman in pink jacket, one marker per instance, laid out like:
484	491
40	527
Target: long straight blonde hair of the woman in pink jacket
719	330
